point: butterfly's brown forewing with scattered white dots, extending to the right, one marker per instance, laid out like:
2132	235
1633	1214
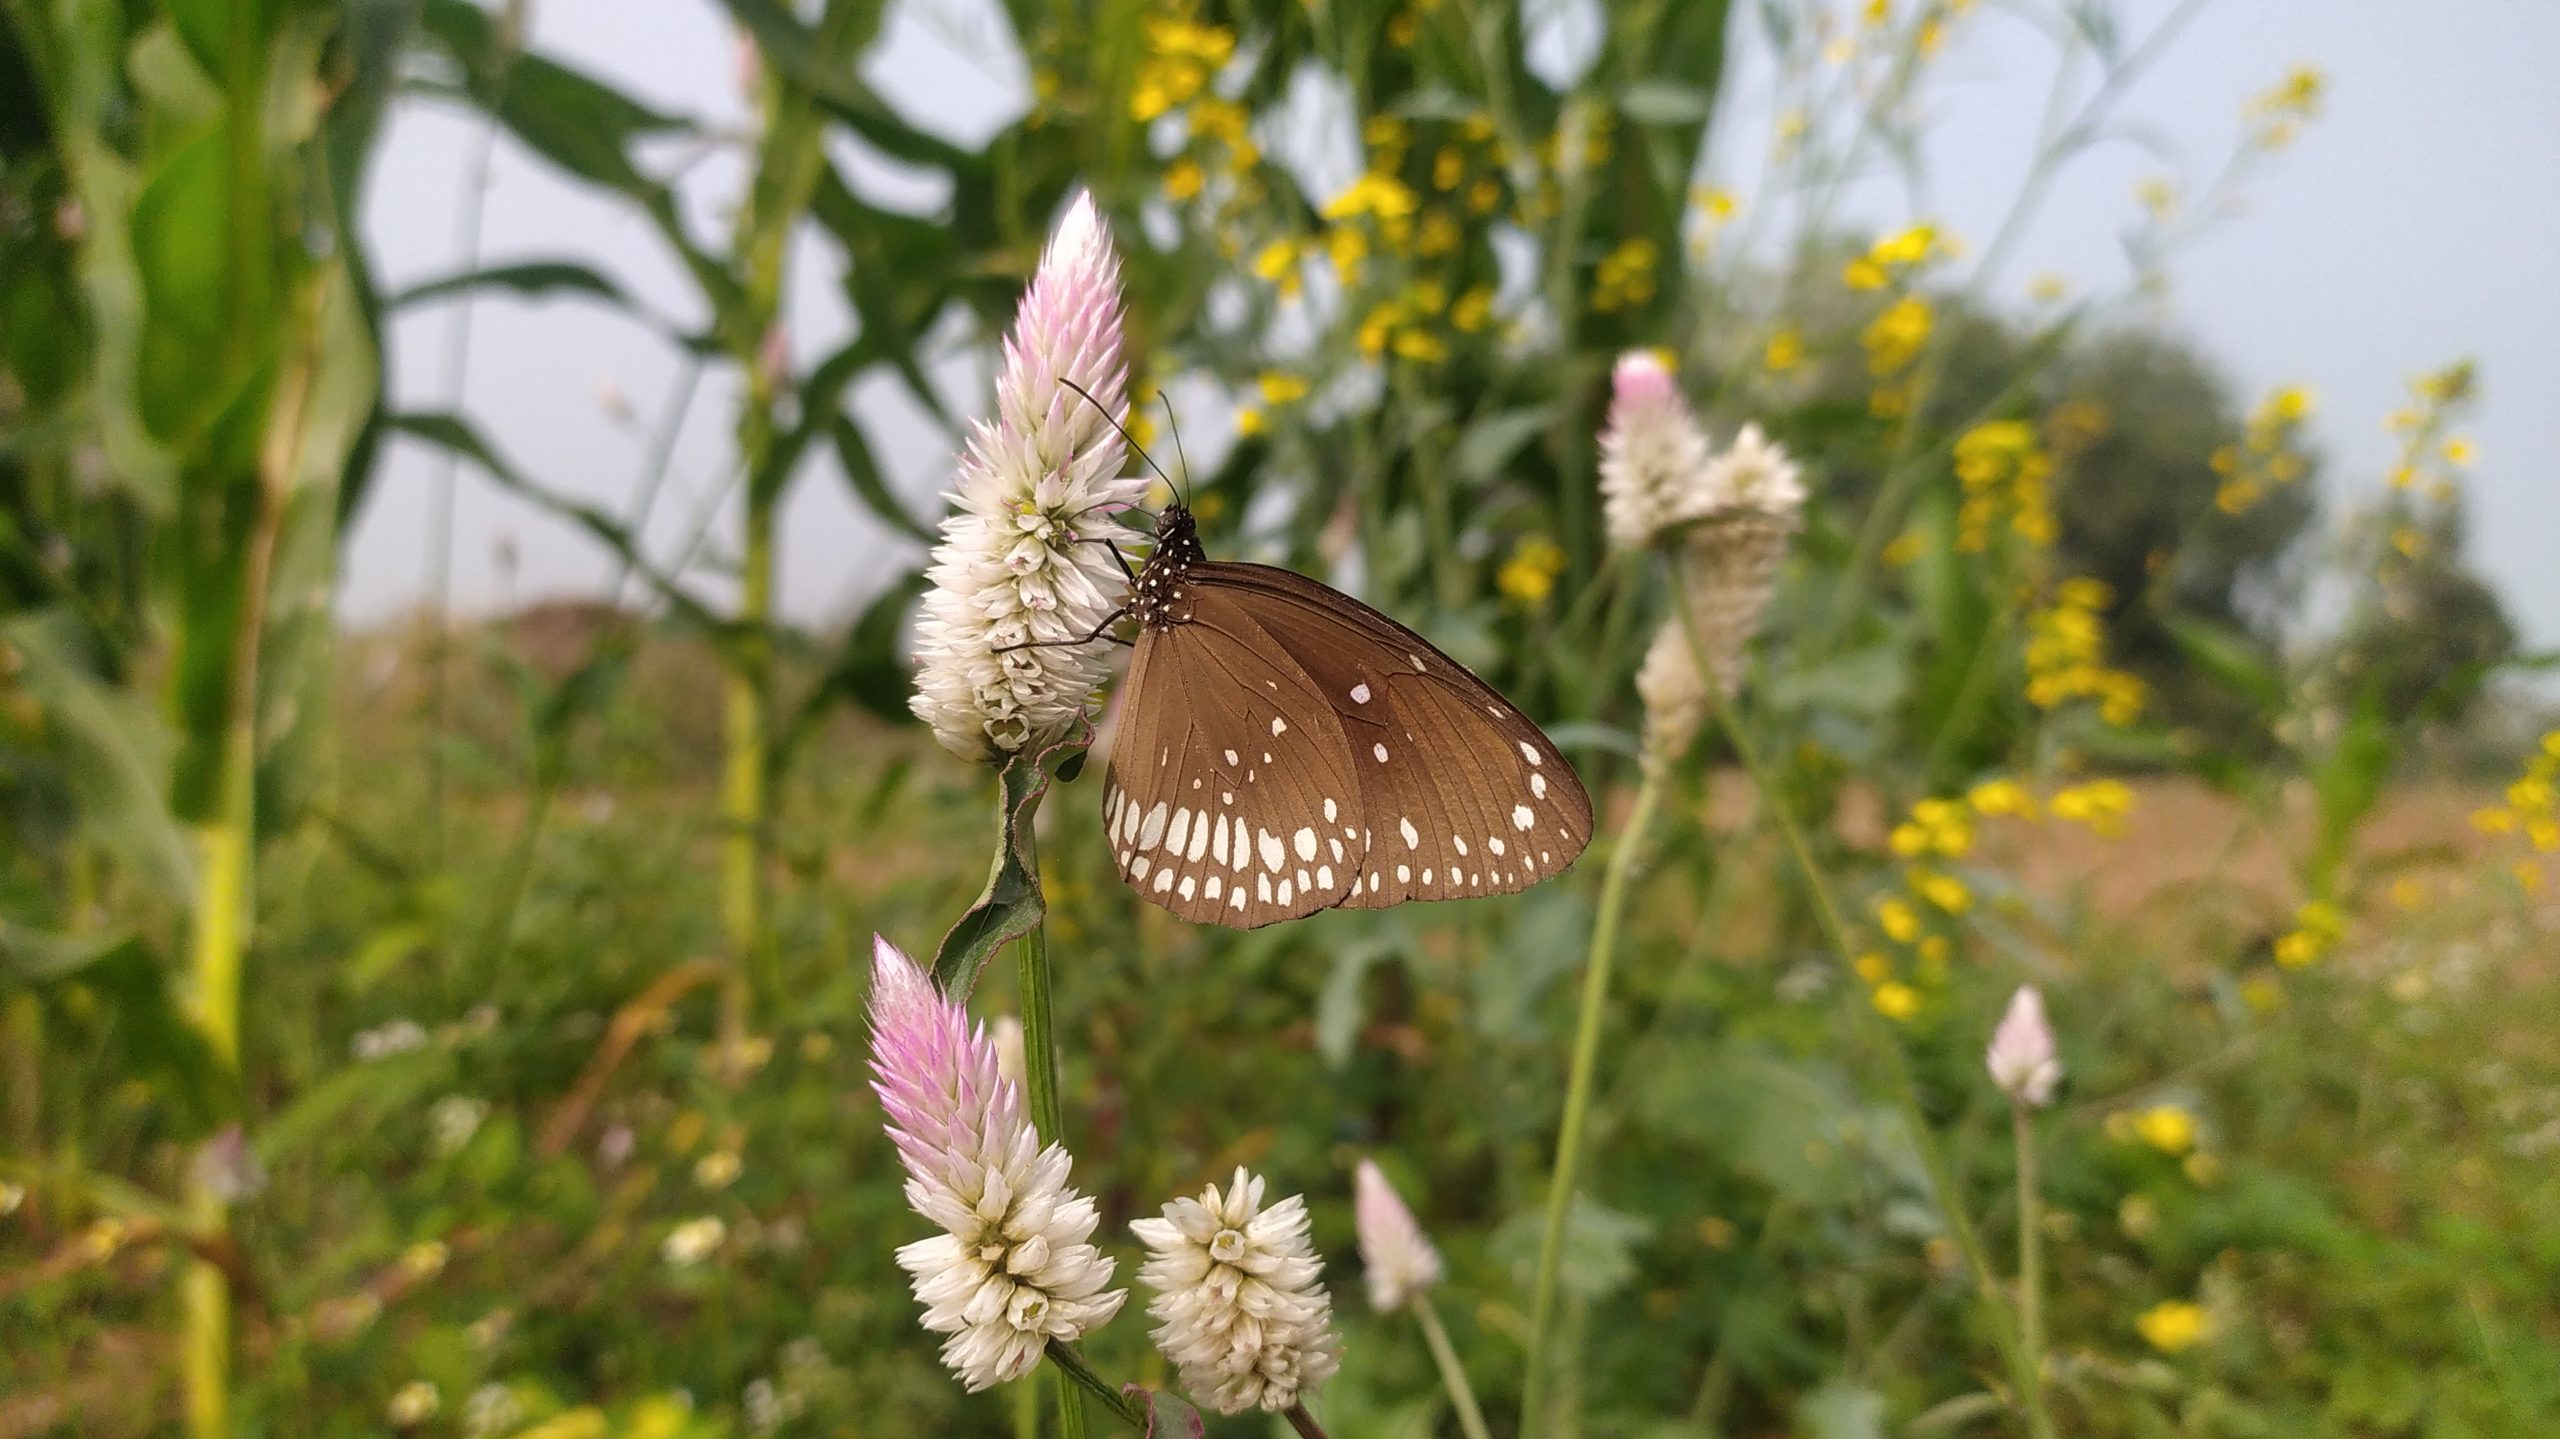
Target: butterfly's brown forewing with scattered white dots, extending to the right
1460	795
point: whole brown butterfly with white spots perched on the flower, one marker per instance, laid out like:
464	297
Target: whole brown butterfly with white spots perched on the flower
1286	749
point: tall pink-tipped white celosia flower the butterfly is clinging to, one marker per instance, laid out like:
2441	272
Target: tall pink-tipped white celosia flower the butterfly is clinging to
1025	554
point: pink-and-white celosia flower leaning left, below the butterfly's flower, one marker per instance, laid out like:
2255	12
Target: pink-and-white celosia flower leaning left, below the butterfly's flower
1015	1264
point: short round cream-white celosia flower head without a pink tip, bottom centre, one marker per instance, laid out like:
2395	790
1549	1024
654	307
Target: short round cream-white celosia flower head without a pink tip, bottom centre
1240	1299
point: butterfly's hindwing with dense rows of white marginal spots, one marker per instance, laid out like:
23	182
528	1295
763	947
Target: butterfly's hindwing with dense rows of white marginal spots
1233	795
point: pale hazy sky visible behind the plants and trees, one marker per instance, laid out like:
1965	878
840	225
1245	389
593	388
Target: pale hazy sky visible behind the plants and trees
2415	224
